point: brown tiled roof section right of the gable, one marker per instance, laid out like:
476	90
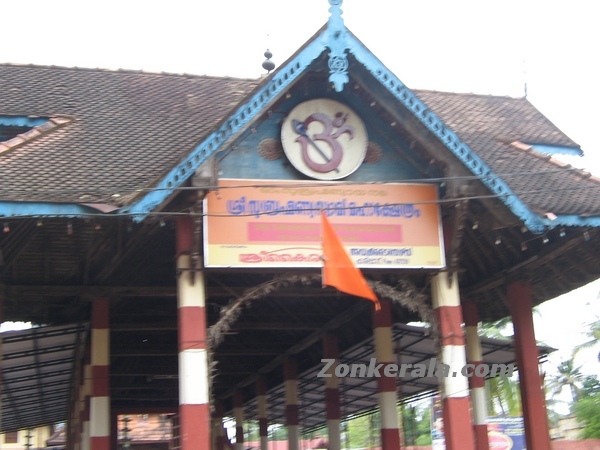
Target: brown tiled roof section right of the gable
496	128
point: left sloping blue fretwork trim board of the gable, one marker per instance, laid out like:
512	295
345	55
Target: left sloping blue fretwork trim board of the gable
244	115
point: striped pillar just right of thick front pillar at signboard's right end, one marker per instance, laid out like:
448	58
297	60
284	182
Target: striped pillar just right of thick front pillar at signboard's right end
476	382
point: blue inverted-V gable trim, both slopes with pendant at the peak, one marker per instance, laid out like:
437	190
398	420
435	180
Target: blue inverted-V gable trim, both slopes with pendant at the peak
338	39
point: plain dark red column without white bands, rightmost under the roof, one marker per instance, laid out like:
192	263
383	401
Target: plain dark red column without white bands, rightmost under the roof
520	301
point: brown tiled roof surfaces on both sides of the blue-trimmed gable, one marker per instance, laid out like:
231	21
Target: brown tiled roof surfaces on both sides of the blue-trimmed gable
130	128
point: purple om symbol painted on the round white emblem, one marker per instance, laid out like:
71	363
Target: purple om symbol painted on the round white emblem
330	158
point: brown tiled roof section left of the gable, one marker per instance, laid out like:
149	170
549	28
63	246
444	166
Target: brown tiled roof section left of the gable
129	128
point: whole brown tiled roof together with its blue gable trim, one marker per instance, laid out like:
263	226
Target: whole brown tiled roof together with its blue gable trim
137	137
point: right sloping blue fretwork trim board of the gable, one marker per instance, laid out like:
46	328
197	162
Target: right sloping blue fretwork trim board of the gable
445	135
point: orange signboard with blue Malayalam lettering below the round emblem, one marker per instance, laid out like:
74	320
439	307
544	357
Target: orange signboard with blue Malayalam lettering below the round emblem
258	223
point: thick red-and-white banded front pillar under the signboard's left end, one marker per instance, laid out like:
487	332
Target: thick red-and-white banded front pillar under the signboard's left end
194	412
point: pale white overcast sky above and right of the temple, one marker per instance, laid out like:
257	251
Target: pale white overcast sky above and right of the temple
547	48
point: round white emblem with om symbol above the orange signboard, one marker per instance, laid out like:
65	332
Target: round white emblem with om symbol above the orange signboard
324	139
